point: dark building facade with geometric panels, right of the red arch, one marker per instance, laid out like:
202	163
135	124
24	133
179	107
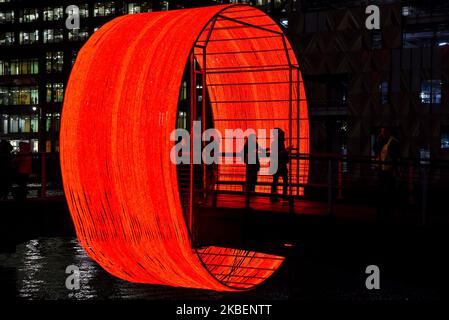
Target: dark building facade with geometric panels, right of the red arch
336	44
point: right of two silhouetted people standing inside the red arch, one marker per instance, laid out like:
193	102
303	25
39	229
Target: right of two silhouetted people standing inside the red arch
282	169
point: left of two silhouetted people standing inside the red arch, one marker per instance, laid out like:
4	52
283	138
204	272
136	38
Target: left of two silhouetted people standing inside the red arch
251	158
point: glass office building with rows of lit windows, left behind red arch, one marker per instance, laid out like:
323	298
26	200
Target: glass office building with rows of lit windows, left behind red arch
37	52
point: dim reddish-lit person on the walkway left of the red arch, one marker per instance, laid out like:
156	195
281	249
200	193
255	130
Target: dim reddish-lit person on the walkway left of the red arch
23	166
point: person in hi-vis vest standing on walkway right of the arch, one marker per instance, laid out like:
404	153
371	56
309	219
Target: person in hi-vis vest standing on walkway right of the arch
387	151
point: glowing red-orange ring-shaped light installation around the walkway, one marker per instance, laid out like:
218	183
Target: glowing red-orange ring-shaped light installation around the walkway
119	109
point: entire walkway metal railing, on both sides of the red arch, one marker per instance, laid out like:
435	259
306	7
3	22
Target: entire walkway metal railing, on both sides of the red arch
420	190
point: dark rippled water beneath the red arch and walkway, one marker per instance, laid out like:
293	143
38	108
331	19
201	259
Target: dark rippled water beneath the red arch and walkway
37	271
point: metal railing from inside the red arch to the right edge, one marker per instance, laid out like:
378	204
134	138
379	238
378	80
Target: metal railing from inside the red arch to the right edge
419	192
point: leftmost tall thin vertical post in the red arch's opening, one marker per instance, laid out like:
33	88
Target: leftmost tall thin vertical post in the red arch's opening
192	119
